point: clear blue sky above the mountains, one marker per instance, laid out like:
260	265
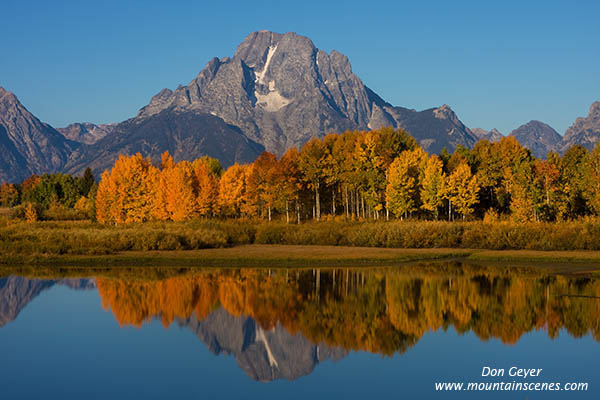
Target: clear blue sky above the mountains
497	64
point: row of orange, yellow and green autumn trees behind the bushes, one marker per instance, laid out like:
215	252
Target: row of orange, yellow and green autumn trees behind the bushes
379	174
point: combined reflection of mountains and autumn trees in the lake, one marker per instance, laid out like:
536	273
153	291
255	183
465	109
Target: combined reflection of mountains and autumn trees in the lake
280	323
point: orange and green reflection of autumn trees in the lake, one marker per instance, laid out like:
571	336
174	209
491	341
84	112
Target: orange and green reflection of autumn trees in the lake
379	310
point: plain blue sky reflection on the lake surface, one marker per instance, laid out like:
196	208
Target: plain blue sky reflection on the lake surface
64	345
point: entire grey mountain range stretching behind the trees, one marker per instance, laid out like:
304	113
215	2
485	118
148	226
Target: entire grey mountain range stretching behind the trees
277	91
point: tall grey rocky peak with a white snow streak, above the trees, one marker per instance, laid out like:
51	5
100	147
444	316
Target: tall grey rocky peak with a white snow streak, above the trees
281	91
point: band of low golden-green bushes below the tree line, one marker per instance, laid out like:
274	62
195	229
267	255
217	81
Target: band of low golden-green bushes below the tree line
87	238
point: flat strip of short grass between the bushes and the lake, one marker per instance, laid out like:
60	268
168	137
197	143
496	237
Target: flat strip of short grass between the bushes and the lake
285	256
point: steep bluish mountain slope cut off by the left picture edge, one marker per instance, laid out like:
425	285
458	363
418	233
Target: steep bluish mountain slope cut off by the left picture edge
27	145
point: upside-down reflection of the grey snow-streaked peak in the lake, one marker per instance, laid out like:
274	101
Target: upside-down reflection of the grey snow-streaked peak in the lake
264	355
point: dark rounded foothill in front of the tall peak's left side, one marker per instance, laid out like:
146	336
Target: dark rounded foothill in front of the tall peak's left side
186	135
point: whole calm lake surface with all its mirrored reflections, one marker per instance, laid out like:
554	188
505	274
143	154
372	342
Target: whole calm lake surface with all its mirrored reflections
297	333
